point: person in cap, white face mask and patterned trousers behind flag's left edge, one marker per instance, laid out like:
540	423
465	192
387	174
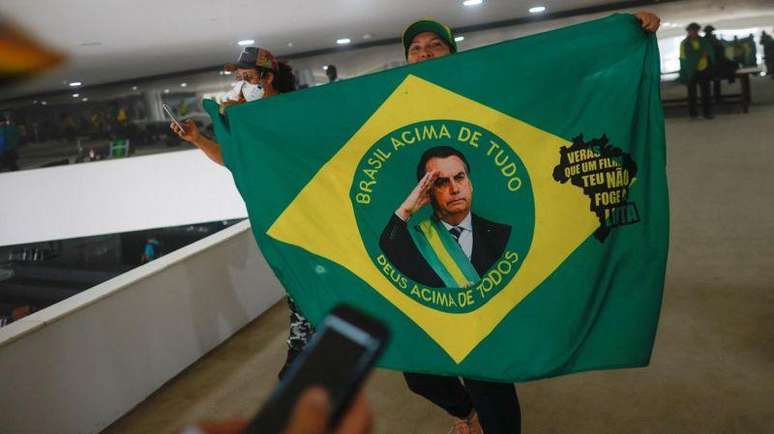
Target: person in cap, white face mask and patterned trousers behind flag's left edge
259	76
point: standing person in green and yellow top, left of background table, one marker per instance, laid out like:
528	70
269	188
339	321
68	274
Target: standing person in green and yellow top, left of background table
696	60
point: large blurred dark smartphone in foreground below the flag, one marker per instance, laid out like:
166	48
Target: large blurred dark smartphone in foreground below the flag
338	358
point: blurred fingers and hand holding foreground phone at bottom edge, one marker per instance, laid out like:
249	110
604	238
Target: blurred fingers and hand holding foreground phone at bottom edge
310	416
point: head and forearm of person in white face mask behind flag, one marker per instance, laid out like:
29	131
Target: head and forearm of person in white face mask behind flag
259	76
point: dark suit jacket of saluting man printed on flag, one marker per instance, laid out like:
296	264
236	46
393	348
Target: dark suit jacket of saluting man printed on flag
489	241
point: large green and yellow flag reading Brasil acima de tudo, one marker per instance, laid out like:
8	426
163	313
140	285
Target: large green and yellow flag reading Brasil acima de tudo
560	264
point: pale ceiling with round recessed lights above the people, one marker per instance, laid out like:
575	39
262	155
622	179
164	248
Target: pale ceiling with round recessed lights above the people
108	41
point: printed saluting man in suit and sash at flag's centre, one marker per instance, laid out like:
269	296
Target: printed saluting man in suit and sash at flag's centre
453	247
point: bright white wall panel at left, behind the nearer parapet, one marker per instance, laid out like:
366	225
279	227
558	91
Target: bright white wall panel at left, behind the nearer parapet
113	196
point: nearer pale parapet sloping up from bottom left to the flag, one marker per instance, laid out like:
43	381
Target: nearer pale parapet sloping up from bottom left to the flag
79	365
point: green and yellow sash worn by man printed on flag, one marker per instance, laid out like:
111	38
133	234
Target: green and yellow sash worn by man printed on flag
444	254
